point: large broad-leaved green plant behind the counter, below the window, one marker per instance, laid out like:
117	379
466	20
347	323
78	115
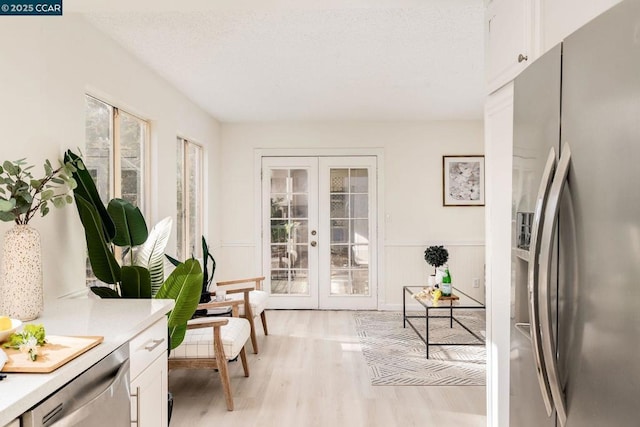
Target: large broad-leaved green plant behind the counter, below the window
121	224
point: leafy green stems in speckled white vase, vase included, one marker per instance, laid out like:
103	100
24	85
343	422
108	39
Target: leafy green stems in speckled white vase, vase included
22	196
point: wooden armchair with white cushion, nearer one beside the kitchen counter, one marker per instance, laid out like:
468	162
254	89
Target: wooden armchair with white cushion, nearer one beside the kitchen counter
210	342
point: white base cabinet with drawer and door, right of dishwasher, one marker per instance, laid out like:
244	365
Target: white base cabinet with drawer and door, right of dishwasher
148	371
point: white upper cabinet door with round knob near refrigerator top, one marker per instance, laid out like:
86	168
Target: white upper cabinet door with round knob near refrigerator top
509	39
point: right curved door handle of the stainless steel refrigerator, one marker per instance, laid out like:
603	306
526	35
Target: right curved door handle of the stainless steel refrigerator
546	246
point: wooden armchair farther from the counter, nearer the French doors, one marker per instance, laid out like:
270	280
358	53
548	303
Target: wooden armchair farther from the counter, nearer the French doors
255	300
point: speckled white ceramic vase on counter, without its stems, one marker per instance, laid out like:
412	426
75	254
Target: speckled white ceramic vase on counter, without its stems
22	294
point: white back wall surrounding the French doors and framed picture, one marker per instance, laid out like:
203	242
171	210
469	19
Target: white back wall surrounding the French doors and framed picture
412	218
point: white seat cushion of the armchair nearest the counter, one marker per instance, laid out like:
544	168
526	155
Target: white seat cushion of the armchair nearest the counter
198	343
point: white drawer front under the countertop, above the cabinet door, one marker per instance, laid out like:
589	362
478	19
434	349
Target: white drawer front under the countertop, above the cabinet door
147	346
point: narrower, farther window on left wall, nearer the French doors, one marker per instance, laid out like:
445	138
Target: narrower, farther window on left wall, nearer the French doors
189	199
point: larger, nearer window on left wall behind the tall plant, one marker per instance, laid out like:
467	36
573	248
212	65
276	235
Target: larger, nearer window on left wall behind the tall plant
115	154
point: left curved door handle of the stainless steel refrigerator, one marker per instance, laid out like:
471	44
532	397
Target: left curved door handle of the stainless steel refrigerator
532	279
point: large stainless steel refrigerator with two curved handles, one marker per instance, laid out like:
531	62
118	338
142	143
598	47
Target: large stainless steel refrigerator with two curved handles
575	291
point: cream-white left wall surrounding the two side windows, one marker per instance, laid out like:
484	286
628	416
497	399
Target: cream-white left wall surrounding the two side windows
47	64
